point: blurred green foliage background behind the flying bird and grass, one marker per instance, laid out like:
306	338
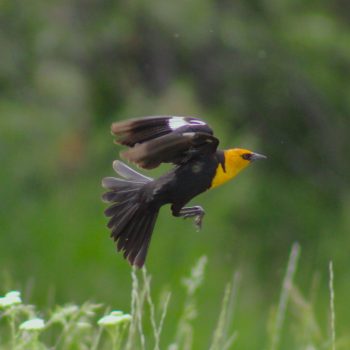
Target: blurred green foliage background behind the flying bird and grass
272	76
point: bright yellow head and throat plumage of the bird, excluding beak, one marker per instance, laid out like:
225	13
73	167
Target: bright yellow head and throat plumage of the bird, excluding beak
234	163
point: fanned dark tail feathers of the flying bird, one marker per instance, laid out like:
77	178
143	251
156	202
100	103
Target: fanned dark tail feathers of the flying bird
131	219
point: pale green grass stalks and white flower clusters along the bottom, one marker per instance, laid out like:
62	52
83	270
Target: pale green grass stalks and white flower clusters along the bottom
88	327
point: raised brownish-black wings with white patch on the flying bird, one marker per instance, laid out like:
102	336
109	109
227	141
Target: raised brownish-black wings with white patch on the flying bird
164	139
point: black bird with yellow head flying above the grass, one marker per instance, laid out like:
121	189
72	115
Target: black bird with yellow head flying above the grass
136	199
